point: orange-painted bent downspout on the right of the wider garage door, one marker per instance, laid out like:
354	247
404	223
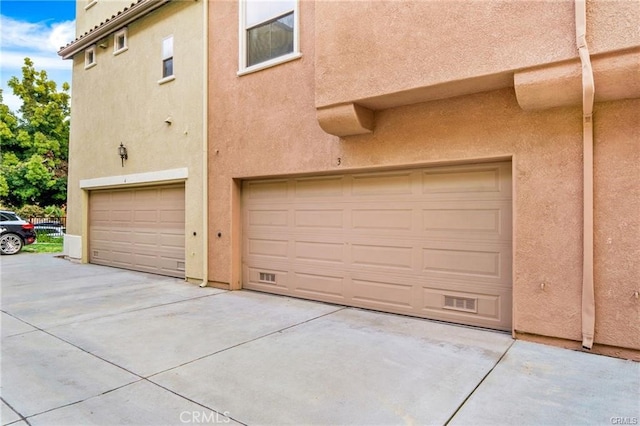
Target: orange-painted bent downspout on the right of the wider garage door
588	90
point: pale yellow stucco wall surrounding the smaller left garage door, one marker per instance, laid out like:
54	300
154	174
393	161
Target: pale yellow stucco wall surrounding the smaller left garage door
120	100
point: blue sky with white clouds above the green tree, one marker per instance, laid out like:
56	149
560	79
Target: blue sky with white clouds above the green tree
37	29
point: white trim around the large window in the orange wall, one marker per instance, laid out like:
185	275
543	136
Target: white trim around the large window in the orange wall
243	69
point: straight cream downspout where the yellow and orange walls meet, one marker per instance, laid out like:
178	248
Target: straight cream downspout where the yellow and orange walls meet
205	145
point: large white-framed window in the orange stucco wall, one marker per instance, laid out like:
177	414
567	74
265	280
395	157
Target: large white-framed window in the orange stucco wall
269	33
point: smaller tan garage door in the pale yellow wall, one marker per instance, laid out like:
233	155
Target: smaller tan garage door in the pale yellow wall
140	229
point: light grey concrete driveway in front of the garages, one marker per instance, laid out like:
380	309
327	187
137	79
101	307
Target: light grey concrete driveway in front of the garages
86	344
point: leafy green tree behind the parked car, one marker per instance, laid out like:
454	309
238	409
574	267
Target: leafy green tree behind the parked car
35	142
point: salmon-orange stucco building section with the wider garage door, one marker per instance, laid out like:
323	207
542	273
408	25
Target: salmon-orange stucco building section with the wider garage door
426	158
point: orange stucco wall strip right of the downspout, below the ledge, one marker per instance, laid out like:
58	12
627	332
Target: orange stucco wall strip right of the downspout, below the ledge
617	222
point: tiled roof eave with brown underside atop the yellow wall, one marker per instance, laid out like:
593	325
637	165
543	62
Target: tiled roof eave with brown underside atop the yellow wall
129	14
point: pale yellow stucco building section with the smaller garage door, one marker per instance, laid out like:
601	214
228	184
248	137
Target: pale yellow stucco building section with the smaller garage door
138	81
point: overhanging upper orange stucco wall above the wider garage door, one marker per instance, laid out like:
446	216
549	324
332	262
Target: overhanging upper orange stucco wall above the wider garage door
368	50
